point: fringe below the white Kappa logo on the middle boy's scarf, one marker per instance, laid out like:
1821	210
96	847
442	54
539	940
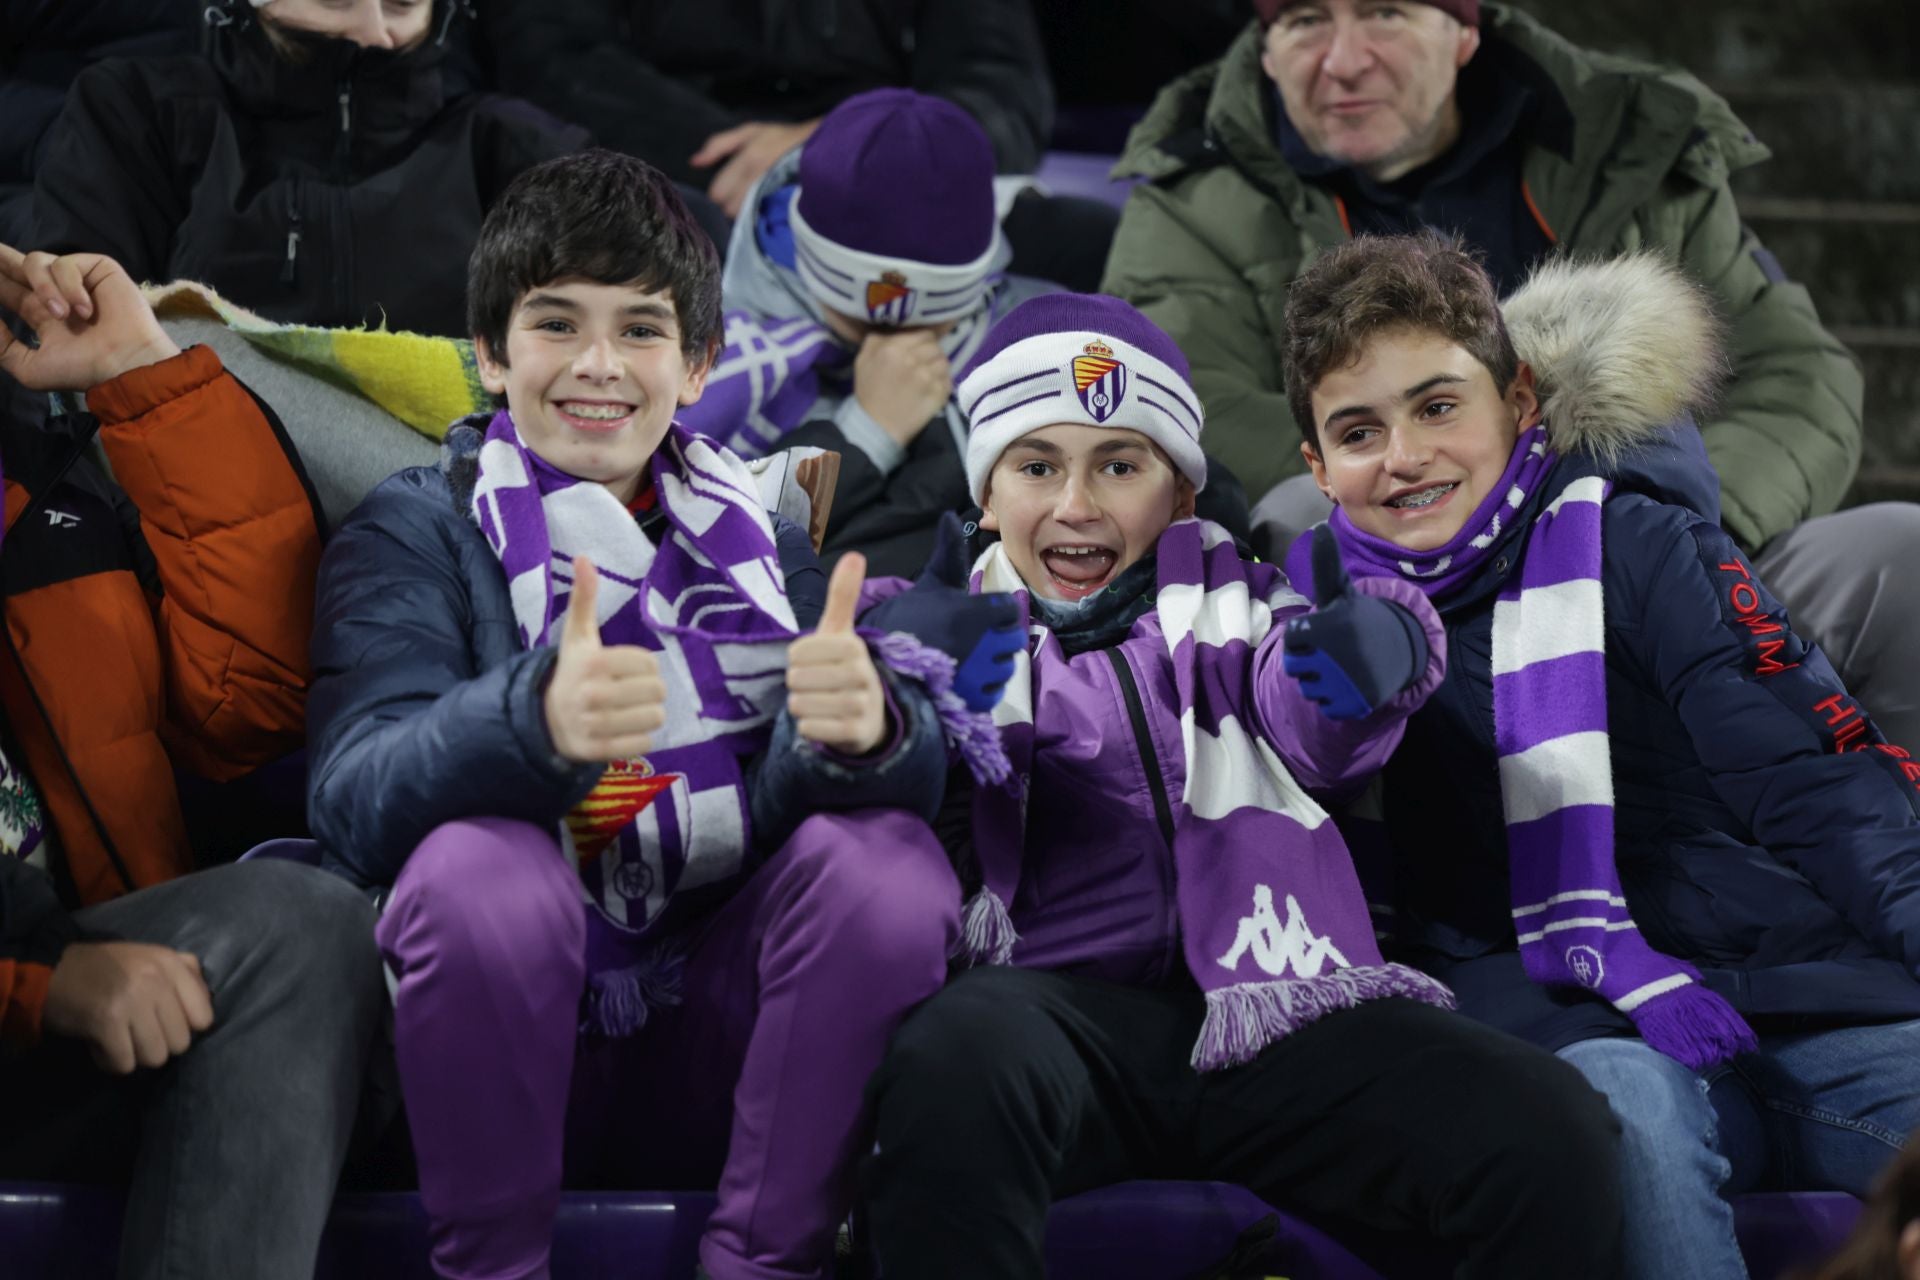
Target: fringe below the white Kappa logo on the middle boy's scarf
1247	1018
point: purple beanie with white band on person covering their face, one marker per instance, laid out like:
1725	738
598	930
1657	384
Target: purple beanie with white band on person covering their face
896	220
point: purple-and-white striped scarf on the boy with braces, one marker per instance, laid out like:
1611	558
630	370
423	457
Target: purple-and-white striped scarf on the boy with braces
1556	772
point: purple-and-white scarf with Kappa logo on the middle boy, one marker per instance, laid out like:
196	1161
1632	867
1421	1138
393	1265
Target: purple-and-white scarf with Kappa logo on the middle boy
1274	924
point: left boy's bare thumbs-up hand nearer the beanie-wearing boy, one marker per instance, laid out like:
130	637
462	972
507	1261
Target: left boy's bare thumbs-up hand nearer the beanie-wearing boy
834	690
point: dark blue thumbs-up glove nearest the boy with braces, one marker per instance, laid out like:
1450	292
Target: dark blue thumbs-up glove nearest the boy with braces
1355	652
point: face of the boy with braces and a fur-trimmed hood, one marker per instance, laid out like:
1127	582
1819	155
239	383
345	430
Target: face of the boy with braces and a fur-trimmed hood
1414	435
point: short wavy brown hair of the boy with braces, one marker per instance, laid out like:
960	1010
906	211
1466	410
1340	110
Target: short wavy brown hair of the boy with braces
1387	283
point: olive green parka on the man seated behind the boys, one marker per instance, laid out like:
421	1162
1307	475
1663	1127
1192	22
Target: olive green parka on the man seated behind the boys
1621	156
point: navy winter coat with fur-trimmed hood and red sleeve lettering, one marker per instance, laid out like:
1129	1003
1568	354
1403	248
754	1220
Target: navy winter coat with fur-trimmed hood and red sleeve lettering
1762	828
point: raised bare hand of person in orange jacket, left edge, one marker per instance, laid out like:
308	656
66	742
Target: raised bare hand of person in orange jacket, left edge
87	314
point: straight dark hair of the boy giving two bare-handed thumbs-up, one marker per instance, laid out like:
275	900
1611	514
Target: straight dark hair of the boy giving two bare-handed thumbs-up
606	218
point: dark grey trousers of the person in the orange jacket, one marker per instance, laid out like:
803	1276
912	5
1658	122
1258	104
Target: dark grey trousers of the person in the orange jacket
237	1145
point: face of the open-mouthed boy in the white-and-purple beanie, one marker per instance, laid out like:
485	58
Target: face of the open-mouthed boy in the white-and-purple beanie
1074	506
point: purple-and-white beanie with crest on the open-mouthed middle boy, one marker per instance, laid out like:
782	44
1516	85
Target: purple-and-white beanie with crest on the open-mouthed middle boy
1078	358
